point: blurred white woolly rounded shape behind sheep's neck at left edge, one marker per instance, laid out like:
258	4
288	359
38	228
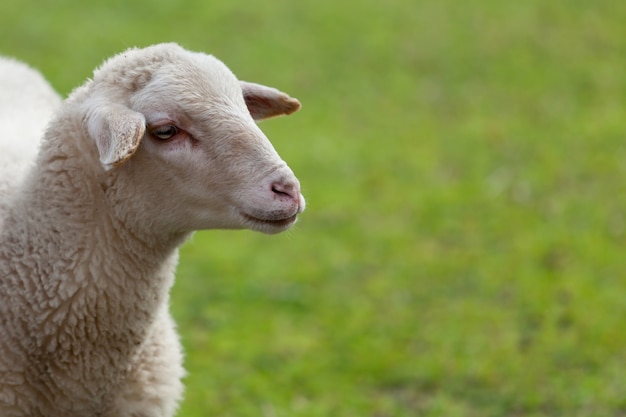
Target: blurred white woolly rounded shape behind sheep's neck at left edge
27	104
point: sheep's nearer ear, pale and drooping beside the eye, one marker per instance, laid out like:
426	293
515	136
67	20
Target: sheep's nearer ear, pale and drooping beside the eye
117	131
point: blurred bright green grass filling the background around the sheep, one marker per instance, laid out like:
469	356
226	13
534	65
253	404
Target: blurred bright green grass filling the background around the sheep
464	166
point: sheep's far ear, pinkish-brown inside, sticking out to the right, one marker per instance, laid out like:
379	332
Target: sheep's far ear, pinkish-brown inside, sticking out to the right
265	102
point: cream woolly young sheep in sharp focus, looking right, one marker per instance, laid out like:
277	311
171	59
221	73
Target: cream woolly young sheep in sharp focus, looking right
161	142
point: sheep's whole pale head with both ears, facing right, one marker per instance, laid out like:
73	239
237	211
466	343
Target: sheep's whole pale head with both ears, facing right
179	137
